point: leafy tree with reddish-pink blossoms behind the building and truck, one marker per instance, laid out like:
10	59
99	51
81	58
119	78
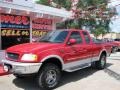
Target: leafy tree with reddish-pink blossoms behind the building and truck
89	13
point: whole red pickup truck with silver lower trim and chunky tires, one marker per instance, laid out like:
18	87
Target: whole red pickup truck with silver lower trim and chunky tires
57	51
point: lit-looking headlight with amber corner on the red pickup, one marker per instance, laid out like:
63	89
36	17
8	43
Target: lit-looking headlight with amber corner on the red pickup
29	57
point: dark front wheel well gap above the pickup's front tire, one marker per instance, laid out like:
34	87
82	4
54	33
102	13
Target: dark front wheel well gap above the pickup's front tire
54	61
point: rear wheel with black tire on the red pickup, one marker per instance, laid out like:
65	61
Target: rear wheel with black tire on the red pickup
101	64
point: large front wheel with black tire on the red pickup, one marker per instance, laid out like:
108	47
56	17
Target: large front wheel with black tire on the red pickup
49	76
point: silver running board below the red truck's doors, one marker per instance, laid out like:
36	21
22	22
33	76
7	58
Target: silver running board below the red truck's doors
75	68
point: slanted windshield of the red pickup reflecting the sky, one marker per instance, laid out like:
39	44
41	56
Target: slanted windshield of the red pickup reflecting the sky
54	37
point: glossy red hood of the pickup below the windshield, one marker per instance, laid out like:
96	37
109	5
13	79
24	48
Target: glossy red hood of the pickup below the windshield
32	47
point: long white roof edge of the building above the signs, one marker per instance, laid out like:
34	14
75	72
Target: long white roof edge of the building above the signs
38	9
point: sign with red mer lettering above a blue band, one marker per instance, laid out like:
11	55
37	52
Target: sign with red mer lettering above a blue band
15	21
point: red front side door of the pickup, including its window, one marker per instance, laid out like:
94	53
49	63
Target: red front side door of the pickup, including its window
77	51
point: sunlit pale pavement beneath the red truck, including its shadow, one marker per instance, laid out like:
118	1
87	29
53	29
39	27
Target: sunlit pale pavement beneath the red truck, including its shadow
85	79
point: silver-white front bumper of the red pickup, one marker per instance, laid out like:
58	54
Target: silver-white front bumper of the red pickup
21	68
